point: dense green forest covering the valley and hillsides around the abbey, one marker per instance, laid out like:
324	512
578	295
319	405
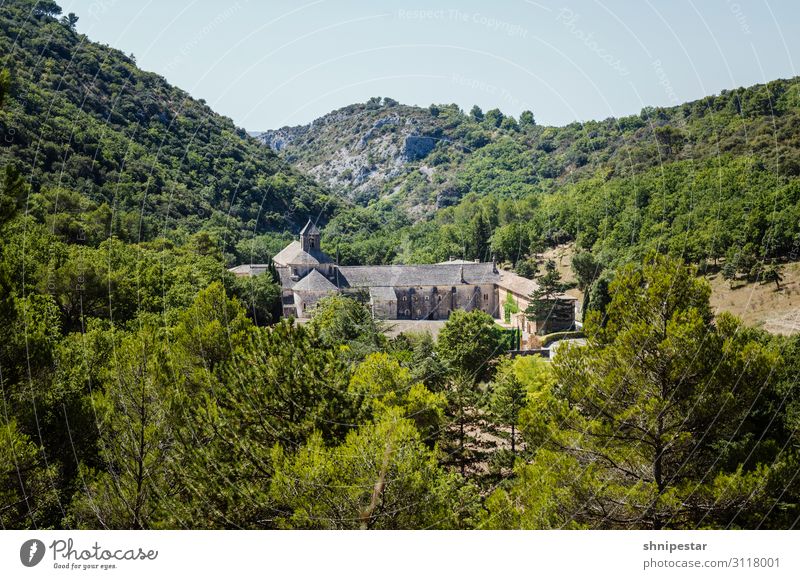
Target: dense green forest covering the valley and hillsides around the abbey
143	386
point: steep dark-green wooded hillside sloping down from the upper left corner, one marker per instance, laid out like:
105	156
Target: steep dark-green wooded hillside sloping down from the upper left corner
110	149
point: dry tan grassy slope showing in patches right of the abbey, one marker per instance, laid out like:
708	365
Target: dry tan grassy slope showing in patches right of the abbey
761	305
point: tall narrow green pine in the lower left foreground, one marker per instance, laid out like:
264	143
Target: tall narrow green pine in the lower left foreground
135	439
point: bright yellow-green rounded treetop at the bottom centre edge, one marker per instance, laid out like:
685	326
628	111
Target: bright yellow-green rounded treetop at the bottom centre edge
368	482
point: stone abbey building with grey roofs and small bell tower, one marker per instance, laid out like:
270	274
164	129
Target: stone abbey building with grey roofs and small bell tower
401	292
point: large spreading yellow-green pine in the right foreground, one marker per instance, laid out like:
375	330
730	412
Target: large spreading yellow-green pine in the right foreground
641	411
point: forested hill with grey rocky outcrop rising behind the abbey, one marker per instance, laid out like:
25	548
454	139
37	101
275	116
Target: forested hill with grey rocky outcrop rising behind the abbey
702	180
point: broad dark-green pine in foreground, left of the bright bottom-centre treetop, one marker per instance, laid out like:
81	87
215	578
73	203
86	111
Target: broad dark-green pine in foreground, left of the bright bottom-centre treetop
280	387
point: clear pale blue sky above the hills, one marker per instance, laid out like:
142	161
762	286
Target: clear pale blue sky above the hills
271	63
